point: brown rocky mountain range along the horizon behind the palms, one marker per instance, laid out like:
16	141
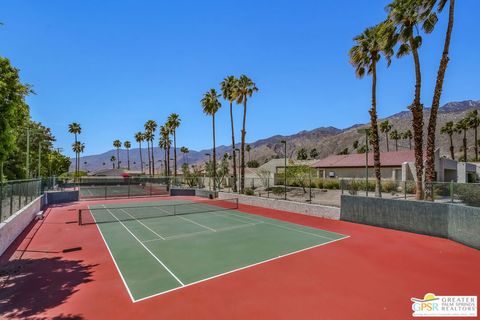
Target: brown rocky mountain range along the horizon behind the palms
326	140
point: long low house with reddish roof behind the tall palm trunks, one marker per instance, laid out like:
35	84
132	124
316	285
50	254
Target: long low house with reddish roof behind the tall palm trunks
395	165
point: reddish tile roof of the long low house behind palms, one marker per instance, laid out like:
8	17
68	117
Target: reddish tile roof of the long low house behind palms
387	159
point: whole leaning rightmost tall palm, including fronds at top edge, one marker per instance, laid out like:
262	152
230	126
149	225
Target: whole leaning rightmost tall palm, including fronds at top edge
428	25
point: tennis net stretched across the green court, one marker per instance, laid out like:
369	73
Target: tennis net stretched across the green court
140	211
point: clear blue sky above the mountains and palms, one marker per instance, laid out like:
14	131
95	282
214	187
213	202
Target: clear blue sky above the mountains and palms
112	65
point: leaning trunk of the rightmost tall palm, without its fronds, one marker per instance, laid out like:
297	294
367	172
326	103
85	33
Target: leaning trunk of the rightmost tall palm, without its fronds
432	123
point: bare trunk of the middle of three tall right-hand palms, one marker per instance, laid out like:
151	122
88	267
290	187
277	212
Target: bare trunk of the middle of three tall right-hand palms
417	123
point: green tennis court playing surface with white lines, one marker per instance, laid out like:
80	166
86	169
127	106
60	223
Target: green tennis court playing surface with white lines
165	245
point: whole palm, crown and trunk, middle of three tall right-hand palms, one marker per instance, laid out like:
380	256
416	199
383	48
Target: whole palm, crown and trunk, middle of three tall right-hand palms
407	15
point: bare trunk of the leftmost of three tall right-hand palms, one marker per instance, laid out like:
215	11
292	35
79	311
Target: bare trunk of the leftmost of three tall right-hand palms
374	137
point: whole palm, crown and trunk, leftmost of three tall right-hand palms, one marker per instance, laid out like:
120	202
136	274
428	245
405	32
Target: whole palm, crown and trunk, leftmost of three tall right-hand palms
364	56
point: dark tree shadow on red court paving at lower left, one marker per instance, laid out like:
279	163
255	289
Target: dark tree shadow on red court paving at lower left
31	286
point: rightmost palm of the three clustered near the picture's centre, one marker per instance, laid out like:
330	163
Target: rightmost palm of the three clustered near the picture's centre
244	89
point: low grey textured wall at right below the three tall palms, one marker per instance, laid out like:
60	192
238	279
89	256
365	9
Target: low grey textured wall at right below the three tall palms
452	221
